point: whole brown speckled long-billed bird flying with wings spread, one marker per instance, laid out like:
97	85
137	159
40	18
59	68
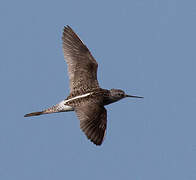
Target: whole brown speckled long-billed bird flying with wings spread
86	97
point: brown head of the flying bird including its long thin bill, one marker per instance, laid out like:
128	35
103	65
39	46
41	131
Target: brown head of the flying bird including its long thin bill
117	94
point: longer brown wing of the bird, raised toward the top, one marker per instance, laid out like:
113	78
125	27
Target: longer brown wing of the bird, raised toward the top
82	67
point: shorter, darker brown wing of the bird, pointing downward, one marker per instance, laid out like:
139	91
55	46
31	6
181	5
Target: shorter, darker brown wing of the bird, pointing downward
93	121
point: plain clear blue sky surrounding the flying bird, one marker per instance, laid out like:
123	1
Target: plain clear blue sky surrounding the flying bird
146	48
